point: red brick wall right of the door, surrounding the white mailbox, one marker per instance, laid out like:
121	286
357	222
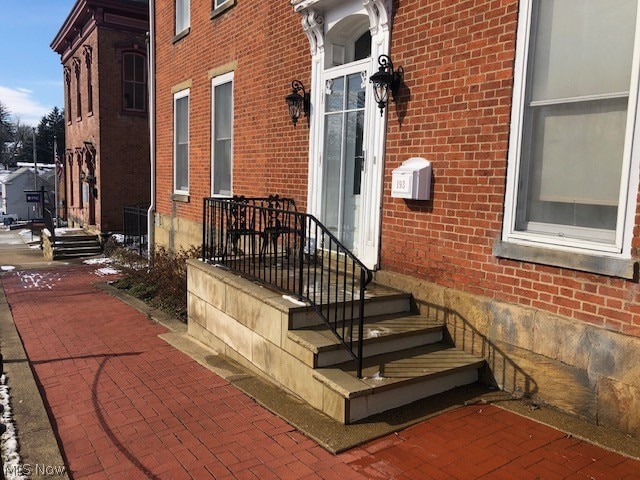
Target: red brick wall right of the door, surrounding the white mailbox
458	61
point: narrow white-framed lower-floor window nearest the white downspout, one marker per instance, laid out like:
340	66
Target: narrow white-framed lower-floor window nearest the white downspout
181	142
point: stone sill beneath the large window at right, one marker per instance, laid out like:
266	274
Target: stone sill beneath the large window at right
601	265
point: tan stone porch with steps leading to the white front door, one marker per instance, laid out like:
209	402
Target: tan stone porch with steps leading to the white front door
405	355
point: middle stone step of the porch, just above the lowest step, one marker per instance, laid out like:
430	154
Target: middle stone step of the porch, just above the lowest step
382	334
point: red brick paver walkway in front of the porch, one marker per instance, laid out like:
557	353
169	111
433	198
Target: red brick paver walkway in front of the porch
128	405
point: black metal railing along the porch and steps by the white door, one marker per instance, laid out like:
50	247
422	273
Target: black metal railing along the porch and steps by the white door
268	240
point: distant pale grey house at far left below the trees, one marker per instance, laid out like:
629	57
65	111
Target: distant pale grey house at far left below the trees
14	186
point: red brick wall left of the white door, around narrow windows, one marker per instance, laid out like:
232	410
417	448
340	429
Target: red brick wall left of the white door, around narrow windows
266	41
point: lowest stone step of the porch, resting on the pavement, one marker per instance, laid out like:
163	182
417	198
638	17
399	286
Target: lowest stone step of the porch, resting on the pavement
394	379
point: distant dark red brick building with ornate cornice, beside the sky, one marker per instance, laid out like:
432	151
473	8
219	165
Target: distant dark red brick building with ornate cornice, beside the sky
102	45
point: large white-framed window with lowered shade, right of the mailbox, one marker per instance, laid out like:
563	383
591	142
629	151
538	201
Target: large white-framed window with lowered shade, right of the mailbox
572	123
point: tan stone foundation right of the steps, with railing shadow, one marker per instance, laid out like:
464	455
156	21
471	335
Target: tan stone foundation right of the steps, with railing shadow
579	368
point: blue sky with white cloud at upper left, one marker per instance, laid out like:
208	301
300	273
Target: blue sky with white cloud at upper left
31	81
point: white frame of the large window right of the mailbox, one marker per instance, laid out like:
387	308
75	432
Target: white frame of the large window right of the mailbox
620	247
